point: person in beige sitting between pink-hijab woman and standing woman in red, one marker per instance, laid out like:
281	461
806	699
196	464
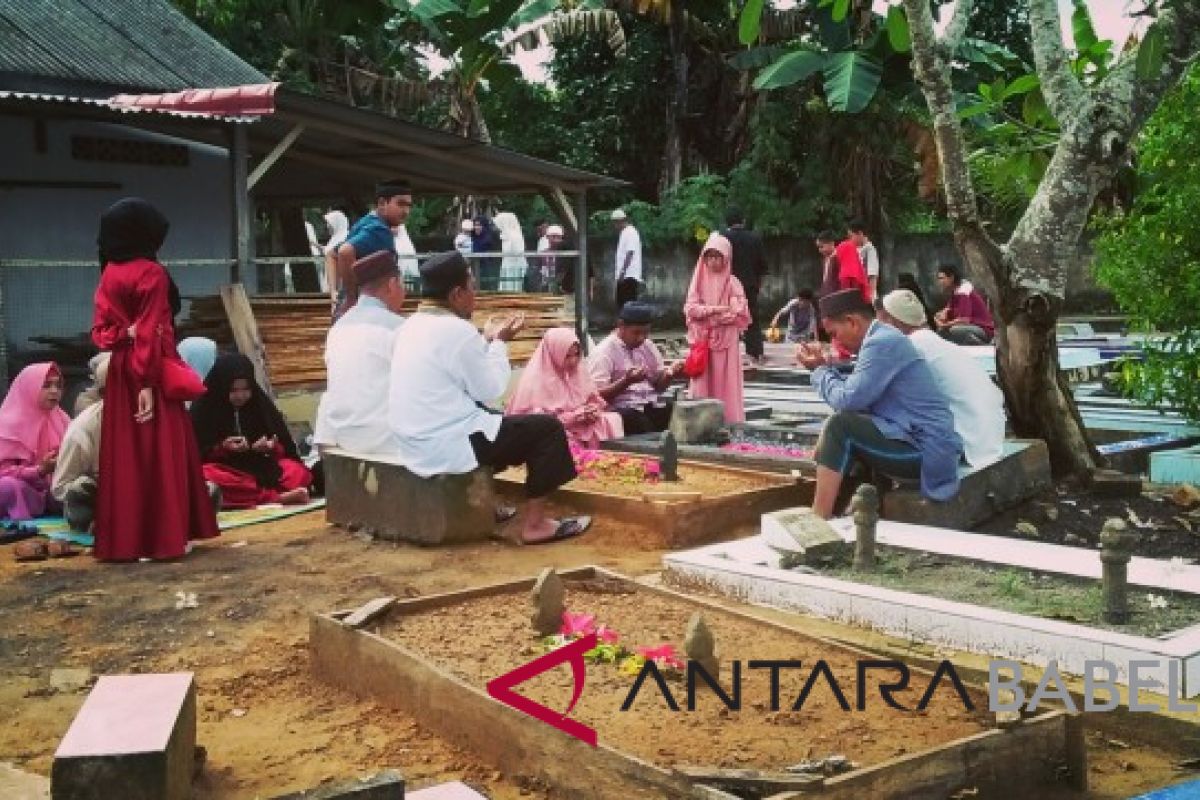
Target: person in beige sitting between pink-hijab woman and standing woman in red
79	466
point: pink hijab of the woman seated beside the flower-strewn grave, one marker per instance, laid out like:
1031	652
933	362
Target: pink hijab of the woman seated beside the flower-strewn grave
547	388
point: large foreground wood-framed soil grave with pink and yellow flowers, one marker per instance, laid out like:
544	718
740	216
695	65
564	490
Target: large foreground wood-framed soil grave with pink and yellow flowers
419	661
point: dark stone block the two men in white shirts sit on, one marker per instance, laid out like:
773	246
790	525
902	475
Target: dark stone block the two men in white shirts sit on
381	496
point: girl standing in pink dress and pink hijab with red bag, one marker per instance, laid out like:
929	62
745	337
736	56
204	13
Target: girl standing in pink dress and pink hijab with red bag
717	311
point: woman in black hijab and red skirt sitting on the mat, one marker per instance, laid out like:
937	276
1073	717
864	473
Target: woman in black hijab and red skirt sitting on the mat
247	447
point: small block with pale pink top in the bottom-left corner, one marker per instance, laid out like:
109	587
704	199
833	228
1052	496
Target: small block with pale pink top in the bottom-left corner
135	738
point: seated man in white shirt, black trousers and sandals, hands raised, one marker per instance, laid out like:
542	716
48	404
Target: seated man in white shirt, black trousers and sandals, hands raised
443	371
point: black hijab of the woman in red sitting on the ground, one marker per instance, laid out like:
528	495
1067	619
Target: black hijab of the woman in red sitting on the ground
215	420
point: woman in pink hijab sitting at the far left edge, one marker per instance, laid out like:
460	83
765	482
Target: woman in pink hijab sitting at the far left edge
32	428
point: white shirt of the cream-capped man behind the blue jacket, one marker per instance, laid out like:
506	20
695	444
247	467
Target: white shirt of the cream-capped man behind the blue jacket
975	401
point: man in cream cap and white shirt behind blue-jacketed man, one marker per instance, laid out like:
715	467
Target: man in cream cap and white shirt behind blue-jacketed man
977	405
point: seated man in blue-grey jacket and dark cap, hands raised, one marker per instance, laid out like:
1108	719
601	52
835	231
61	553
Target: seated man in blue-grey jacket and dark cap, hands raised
890	413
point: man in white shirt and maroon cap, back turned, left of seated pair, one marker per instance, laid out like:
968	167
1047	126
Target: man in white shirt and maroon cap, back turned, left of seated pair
353	412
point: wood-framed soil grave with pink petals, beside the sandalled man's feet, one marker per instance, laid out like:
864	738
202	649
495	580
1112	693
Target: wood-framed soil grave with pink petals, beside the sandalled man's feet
706	504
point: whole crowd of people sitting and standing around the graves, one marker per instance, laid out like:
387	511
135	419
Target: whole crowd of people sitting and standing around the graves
169	435
